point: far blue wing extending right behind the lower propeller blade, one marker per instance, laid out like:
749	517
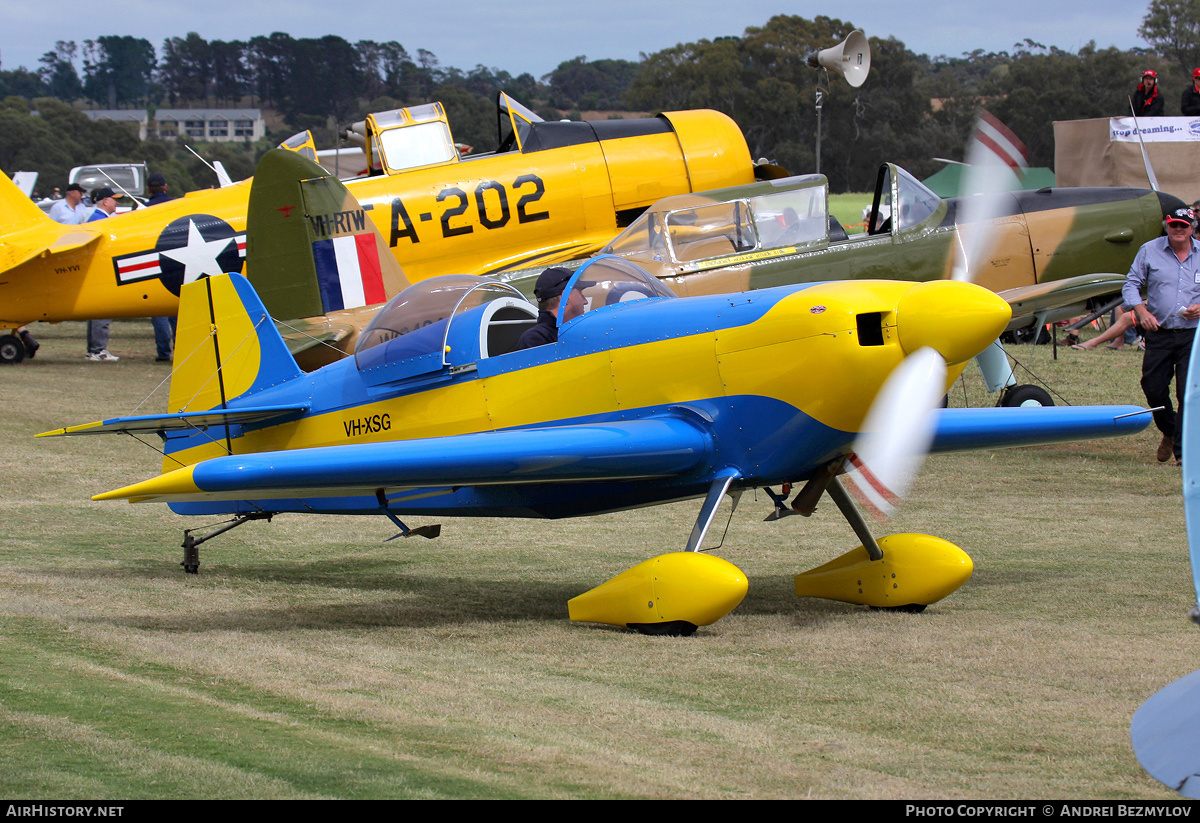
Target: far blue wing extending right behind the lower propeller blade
961	430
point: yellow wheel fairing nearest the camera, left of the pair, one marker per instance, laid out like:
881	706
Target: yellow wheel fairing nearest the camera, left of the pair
682	586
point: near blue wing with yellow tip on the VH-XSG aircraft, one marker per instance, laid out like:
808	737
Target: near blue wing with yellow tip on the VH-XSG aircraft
627	450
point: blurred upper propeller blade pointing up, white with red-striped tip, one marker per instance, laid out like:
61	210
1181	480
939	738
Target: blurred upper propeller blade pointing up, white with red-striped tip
994	157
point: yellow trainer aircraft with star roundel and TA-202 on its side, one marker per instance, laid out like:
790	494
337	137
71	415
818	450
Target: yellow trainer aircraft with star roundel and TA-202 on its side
551	191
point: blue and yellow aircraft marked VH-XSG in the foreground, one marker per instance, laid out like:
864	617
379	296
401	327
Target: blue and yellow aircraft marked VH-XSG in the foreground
645	399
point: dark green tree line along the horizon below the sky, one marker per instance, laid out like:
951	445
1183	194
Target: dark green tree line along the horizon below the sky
911	110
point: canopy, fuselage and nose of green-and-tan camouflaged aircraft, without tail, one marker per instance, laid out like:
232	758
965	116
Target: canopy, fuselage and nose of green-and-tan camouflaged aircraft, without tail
1053	250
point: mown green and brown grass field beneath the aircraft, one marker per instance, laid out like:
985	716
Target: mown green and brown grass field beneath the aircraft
311	660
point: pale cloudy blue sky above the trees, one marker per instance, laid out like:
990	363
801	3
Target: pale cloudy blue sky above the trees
469	33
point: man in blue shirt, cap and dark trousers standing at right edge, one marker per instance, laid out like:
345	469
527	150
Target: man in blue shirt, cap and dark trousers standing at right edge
1168	271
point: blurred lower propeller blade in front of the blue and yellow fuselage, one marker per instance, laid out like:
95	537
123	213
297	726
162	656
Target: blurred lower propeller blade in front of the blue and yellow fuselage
897	434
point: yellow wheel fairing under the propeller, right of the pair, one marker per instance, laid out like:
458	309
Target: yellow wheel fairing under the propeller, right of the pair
916	570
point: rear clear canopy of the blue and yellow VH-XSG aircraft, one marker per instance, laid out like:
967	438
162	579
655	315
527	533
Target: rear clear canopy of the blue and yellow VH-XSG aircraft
415	325
